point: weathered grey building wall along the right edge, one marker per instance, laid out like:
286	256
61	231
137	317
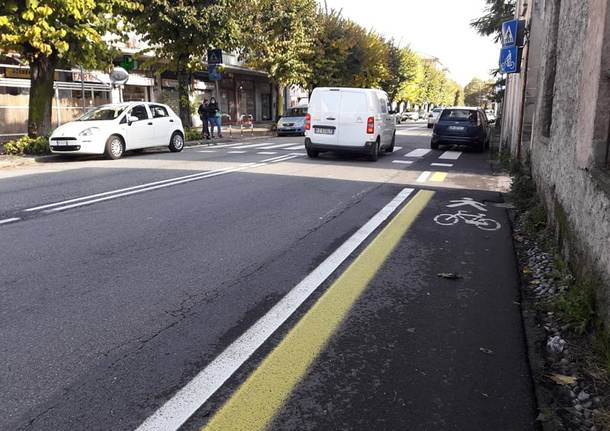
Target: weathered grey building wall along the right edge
565	126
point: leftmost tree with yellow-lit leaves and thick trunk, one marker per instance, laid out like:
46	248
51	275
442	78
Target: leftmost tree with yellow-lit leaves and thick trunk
48	33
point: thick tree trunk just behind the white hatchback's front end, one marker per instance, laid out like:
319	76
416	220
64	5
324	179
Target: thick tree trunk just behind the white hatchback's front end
42	71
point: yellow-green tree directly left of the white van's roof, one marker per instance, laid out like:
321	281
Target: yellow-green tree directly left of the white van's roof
280	39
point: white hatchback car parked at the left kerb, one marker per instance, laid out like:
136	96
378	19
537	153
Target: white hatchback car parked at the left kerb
114	129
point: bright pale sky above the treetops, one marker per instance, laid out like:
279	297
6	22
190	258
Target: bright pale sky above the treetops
438	28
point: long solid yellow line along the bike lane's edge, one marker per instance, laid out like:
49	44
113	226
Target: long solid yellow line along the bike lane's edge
253	406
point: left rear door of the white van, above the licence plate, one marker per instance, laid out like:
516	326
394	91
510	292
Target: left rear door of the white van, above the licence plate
324	110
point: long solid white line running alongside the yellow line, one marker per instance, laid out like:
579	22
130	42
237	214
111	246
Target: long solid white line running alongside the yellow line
171	415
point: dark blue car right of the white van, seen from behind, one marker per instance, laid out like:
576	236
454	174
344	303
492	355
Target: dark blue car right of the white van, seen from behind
462	126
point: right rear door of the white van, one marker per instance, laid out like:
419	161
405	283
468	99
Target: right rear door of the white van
353	118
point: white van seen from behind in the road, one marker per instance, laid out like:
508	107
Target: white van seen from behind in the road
349	119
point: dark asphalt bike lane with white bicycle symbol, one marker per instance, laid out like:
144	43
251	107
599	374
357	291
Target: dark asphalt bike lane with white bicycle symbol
434	342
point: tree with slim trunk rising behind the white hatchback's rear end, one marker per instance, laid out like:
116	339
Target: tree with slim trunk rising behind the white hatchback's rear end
181	32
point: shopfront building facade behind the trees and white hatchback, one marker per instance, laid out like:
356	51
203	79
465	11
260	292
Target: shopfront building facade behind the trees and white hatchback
242	91
